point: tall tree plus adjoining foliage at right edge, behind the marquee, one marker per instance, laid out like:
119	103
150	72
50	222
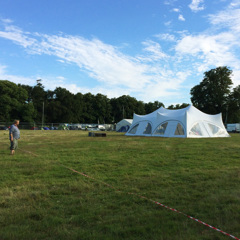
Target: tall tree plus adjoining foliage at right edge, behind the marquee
213	95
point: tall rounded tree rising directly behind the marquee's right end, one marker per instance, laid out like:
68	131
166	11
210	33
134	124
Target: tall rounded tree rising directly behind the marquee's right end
211	95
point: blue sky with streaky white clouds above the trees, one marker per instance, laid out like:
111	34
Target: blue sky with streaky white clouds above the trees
153	50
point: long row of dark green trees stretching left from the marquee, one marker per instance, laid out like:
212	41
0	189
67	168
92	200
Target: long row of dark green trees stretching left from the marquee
32	103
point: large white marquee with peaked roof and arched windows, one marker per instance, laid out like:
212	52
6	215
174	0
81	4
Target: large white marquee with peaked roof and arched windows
188	122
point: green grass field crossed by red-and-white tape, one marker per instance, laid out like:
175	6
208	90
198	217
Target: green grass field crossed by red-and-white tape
42	199
